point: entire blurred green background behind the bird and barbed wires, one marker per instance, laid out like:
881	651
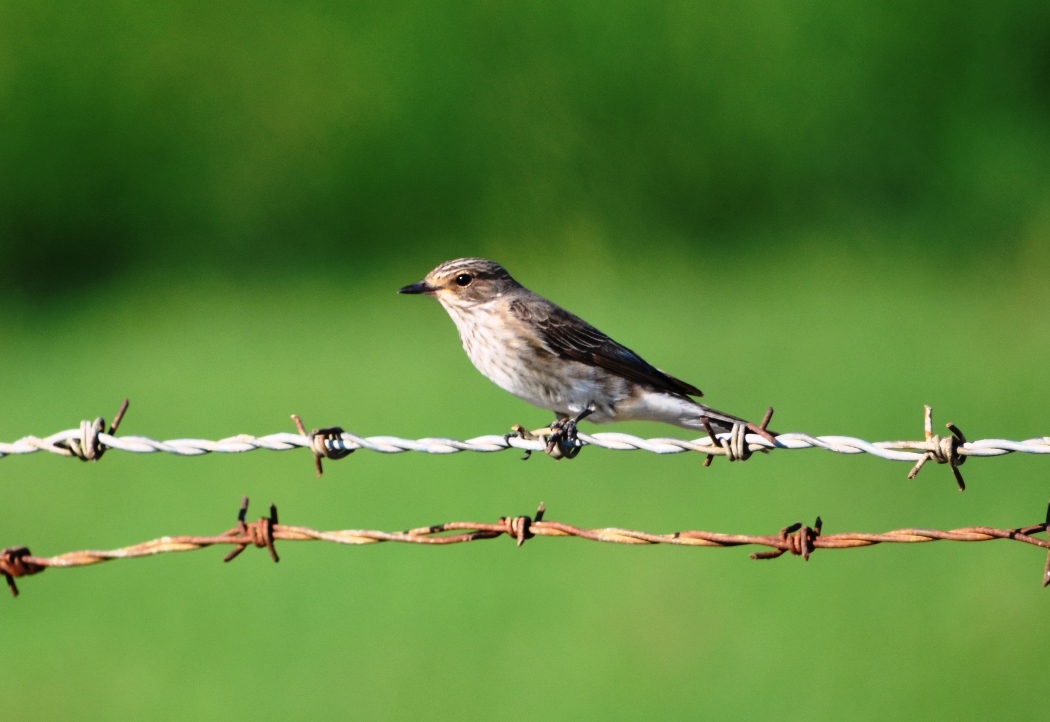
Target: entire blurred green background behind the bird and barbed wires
838	209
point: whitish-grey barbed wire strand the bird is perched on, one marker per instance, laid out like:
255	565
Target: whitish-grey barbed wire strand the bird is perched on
91	441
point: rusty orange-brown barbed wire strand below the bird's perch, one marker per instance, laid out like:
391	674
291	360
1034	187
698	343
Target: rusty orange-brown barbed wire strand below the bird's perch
797	539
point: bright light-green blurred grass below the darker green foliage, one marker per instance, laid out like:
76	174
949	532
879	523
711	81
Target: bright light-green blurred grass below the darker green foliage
839	345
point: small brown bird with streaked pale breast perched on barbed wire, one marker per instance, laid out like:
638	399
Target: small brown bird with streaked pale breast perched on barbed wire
555	360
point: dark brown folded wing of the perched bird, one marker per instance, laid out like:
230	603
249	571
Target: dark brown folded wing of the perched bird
571	337
